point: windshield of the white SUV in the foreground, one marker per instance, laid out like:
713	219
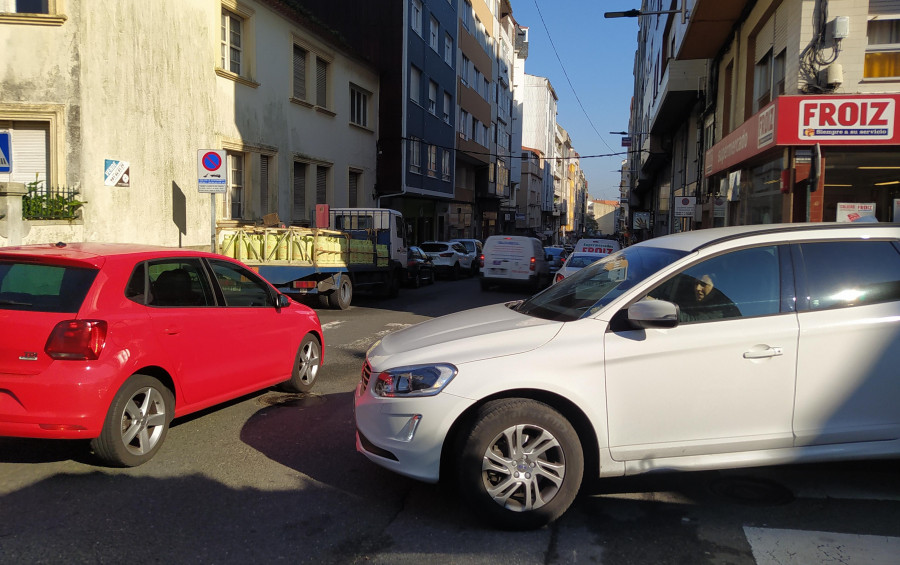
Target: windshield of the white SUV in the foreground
598	284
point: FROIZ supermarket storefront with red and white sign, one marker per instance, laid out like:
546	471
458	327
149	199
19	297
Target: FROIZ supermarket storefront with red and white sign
761	171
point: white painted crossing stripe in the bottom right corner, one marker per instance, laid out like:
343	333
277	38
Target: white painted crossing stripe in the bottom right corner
773	546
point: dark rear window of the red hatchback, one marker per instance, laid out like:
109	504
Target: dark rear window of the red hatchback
39	287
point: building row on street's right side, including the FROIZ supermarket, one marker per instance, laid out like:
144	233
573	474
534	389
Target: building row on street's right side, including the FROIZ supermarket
787	113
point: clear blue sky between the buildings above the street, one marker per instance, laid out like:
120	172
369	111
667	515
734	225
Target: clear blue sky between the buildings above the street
589	60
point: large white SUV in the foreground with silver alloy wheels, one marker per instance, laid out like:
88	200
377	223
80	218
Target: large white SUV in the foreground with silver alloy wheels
706	349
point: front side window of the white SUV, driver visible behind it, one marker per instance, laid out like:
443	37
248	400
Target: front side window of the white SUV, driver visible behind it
743	283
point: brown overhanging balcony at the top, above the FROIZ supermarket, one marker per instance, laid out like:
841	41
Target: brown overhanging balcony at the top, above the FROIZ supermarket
709	27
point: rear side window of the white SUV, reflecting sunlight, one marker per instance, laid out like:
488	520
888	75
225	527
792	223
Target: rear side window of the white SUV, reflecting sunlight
872	274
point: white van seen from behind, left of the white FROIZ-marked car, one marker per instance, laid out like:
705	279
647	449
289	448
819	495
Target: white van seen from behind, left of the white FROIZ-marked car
514	260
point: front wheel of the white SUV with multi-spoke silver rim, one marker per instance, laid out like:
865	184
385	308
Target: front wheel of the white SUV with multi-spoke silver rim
521	464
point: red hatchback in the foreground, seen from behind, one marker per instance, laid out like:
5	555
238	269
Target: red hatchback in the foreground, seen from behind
109	342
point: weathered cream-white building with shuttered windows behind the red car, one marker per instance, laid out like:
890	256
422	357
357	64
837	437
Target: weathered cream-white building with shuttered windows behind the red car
146	85
